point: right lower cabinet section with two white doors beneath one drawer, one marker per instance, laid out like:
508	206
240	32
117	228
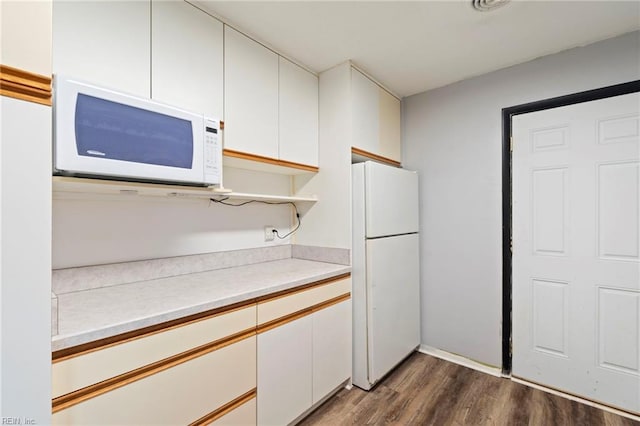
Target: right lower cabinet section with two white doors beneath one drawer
304	350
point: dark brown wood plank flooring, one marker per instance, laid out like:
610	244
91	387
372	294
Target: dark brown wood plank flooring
429	391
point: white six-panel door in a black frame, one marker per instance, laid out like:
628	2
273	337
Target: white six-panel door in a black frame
576	249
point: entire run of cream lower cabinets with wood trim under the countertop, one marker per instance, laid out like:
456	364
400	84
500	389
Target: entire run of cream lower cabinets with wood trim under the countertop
268	363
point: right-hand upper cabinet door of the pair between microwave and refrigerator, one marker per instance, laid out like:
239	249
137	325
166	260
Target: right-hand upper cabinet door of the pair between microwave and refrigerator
298	115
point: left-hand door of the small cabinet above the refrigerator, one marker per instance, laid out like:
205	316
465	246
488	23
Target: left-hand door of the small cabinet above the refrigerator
364	112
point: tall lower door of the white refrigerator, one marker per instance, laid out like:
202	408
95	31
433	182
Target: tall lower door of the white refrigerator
393	292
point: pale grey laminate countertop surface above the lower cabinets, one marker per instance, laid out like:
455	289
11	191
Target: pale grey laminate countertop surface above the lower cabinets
89	315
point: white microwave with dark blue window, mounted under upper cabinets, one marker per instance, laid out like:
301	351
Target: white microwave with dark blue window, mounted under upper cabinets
98	132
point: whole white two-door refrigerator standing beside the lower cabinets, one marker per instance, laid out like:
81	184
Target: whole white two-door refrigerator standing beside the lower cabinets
386	270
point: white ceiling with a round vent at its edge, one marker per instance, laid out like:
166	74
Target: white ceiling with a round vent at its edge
415	46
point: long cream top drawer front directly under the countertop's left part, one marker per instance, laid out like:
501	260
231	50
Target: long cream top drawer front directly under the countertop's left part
84	370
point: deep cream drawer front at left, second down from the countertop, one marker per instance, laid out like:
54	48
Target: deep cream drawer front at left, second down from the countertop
177	395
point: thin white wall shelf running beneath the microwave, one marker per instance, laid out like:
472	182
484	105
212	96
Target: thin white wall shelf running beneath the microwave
63	184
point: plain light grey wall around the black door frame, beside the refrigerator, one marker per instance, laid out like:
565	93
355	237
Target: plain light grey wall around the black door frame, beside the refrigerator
452	136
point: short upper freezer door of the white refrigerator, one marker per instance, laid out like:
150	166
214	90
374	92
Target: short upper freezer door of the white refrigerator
391	200
